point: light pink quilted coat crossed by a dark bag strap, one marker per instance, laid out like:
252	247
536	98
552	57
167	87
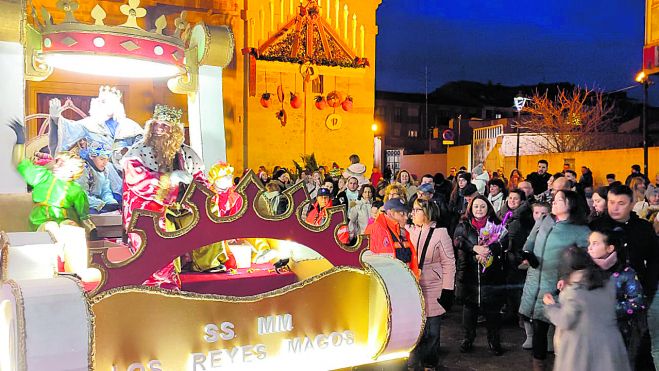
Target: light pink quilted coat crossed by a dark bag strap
439	265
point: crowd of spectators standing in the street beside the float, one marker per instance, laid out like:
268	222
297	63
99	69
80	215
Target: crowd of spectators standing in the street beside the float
574	265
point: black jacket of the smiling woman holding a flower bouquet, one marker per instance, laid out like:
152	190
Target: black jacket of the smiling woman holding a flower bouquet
474	285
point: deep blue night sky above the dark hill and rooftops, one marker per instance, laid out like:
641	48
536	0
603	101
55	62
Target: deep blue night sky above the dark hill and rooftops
597	43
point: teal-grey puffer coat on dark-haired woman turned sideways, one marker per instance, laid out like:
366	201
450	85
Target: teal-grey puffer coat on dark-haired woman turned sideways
547	241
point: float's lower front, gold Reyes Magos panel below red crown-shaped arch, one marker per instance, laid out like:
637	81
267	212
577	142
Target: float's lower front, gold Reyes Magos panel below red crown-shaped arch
335	306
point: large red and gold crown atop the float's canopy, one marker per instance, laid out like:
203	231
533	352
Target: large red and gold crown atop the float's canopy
126	40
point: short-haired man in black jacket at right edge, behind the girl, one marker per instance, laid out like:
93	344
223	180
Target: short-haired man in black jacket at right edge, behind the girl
640	246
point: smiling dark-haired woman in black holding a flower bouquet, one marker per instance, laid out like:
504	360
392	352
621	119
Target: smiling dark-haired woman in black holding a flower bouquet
480	286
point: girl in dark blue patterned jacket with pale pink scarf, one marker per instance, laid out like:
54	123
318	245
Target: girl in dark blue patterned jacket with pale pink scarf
604	248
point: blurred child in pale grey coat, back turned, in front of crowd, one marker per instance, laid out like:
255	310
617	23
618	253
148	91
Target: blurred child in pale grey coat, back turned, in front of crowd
585	315
